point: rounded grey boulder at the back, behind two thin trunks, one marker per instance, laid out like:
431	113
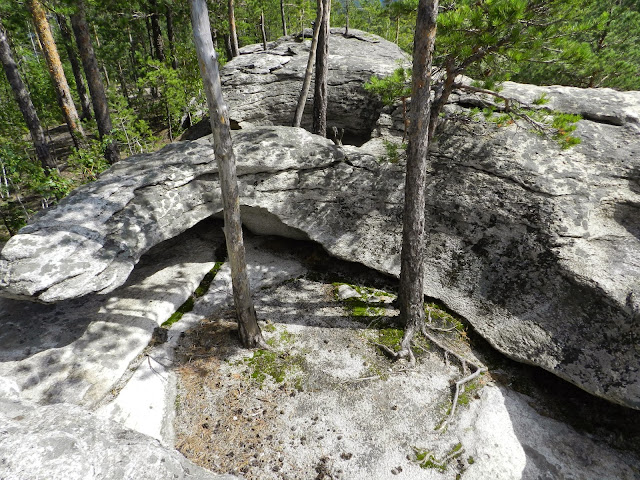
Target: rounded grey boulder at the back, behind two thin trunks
262	87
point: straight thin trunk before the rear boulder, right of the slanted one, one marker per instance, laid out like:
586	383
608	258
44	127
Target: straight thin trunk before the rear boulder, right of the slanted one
322	69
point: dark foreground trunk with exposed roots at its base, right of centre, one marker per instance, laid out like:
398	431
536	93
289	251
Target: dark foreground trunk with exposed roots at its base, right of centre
411	298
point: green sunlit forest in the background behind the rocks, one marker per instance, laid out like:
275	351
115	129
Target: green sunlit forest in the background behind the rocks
147	63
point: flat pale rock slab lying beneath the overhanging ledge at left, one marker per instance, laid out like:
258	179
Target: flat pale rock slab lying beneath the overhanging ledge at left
77	350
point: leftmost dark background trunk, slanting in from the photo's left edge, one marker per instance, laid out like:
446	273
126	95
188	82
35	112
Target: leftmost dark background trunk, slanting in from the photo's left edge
43	152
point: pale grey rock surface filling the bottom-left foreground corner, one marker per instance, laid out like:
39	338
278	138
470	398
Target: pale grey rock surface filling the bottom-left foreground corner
67	442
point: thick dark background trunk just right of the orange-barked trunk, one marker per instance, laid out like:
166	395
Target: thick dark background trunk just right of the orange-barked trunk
96	87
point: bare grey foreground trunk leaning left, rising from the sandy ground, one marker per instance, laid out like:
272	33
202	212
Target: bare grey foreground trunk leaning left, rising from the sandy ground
249	331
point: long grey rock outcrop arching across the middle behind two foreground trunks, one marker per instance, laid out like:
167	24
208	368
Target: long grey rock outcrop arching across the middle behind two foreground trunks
536	246
